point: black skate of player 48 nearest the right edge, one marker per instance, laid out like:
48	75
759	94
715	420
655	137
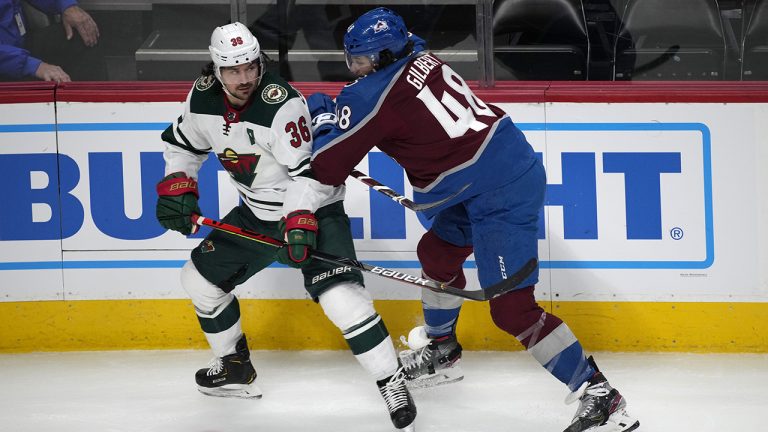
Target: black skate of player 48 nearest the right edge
601	407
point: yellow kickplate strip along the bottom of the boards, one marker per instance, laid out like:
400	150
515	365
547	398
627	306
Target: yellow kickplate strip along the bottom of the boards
301	325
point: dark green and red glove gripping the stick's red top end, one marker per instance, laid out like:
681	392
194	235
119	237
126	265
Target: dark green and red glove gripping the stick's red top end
177	201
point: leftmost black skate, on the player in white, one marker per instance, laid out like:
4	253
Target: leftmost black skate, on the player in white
230	376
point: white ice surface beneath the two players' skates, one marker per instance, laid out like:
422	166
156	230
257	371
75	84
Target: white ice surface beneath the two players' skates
324	391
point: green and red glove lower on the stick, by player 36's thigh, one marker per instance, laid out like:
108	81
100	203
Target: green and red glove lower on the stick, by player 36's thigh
300	231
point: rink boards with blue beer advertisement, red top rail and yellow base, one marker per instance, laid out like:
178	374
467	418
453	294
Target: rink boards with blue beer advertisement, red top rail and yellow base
652	236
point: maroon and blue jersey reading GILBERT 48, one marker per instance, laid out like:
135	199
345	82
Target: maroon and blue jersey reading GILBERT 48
424	115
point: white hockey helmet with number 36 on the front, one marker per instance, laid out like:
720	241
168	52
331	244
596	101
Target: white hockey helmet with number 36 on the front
233	45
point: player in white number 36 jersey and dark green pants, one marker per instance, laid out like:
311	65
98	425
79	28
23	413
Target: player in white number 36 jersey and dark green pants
259	128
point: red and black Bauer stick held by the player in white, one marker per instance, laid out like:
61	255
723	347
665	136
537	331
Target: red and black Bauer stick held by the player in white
478	295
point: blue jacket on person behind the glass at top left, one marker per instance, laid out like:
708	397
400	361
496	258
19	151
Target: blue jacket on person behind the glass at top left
15	61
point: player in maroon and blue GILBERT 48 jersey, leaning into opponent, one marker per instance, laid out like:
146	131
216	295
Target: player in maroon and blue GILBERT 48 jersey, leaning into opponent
485	185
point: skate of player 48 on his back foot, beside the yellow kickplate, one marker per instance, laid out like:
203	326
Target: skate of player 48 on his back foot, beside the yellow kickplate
431	362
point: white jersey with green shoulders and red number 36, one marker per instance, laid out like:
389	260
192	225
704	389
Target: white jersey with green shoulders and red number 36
265	146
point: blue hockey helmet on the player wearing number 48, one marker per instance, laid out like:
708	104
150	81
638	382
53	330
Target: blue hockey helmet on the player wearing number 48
375	31
